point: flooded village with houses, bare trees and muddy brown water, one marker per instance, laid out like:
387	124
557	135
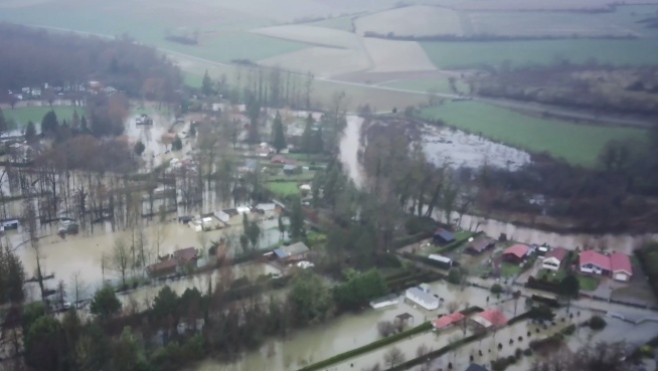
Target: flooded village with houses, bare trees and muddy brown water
156	226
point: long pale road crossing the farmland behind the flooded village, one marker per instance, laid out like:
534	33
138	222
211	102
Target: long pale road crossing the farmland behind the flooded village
516	105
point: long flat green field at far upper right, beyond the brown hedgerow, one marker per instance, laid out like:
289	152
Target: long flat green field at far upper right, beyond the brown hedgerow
541	52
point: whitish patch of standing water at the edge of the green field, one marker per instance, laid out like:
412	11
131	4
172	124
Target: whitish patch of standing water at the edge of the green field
459	149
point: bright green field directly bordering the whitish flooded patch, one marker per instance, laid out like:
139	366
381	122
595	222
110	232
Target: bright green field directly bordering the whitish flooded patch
575	143
